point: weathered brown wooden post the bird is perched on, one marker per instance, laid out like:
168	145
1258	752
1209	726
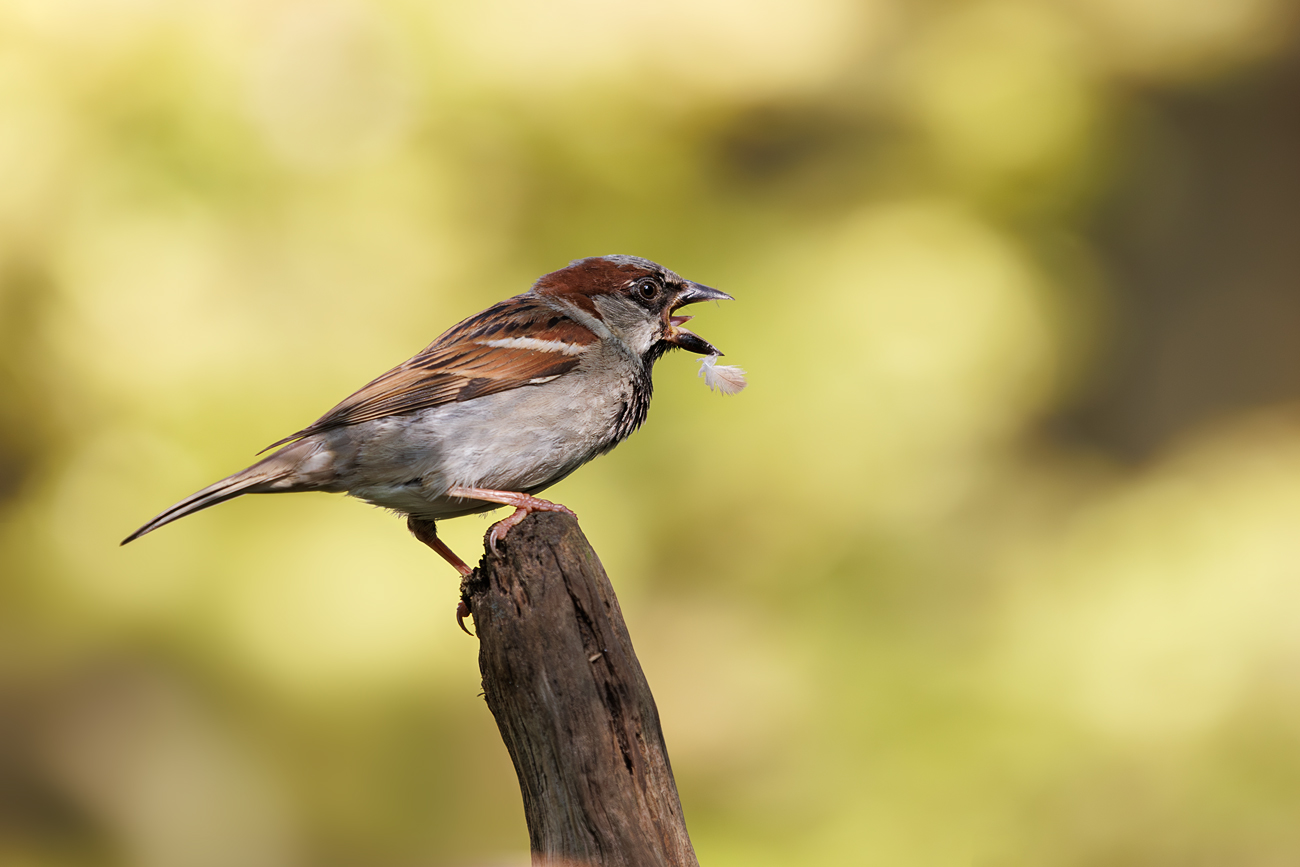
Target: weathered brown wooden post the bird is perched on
573	704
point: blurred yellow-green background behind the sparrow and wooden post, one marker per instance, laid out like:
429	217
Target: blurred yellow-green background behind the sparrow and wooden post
996	562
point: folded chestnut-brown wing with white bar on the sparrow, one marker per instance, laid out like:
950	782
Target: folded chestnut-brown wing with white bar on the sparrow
518	343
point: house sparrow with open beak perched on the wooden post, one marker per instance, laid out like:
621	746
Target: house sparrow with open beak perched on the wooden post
497	410
